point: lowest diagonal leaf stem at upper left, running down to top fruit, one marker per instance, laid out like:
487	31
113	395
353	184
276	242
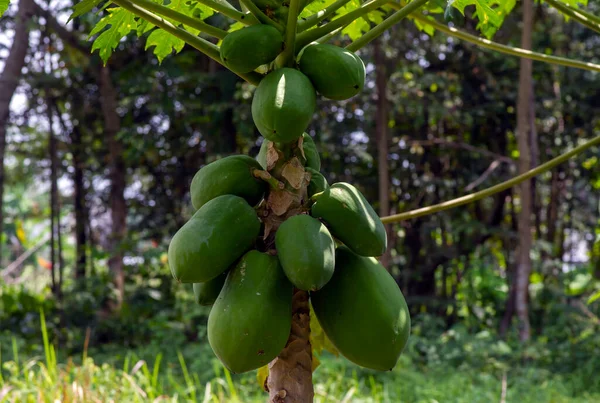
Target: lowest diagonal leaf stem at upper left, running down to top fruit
204	46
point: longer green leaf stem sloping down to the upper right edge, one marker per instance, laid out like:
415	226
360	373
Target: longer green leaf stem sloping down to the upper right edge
485	43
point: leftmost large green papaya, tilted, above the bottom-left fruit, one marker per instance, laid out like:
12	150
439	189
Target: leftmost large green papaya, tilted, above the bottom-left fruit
213	239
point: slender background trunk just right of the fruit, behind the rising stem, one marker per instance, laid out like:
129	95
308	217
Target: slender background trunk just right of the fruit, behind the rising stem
381	126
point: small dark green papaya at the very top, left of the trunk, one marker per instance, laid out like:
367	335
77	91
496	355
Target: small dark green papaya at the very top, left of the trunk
265	41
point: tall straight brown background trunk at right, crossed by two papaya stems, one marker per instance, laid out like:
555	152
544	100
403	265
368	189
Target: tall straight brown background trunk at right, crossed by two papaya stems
524	125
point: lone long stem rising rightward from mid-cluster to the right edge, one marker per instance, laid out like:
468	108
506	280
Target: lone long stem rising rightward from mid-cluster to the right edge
494	189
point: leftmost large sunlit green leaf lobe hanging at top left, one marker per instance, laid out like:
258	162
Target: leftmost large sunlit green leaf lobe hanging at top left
120	22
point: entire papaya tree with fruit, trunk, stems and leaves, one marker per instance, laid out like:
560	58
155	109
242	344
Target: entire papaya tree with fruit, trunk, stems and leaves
272	247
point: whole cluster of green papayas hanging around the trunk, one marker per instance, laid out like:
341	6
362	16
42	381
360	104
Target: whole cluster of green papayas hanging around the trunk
266	226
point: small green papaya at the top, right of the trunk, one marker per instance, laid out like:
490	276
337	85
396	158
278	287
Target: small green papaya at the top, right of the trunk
336	73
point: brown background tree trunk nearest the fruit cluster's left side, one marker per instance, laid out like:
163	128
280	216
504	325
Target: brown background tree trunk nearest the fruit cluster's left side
117	172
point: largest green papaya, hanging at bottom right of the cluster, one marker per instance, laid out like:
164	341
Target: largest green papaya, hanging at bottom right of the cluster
363	312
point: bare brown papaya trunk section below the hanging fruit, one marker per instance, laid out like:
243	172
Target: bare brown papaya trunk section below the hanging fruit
290	374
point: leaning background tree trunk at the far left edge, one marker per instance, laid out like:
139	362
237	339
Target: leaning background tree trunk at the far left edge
9	80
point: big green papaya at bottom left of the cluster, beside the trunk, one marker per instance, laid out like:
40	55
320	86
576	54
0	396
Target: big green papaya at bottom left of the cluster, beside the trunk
250	322
